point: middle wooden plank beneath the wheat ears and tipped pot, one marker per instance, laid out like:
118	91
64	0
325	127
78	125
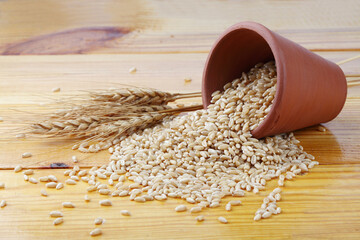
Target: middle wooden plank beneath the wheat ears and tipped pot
29	80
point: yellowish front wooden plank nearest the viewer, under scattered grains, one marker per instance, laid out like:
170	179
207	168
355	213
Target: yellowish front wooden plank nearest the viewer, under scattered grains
323	204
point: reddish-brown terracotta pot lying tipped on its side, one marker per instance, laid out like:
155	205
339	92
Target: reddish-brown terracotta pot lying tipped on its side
310	89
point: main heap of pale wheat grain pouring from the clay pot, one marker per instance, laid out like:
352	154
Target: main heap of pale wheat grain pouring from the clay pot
209	154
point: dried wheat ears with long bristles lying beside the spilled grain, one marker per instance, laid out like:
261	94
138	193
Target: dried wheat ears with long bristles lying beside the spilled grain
107	116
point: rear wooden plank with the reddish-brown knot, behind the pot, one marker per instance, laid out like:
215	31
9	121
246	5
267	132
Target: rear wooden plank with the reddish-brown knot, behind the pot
167	26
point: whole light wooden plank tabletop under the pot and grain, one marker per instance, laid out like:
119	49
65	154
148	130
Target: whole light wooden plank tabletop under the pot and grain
82	45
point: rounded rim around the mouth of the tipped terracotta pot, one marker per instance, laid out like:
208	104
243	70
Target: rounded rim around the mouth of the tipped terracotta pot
267	35
